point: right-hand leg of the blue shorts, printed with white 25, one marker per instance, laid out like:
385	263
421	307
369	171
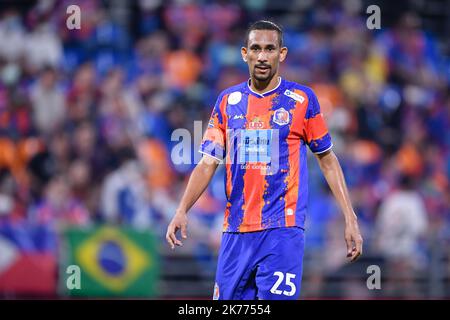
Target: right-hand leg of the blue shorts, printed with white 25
279	274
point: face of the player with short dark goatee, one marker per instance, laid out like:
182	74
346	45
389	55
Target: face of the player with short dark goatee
263	54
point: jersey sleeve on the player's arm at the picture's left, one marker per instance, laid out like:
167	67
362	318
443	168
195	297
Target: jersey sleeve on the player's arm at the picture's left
213	143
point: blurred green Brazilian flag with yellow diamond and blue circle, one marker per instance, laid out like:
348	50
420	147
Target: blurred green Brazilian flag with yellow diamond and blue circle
113	262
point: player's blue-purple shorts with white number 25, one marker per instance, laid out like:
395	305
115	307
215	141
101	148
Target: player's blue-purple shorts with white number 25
263	265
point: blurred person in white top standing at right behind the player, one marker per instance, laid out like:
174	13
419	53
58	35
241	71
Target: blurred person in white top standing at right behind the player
400	230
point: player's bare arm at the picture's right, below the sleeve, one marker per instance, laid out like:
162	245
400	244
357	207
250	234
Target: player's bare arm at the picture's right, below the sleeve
332	171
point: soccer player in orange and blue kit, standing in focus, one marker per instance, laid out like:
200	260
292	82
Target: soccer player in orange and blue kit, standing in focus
260	129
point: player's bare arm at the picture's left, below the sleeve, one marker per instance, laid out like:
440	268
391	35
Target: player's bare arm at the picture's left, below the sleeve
198	181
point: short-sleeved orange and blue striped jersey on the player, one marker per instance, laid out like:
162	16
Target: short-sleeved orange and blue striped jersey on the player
262	139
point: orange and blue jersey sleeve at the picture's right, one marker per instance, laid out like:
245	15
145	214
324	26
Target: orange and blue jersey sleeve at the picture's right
316	132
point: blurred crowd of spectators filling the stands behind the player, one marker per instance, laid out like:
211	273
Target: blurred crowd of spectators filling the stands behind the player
86	118
